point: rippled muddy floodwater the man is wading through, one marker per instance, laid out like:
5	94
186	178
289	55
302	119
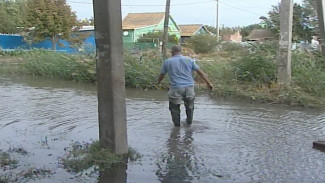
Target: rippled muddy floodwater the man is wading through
229	142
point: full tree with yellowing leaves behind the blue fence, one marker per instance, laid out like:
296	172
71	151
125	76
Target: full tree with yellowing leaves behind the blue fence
51	19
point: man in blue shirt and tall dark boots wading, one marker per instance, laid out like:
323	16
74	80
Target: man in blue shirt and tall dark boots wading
179	69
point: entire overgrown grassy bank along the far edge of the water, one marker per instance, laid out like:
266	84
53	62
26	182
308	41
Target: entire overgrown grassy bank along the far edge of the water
236	71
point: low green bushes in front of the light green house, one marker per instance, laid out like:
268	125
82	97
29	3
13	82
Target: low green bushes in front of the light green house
157	37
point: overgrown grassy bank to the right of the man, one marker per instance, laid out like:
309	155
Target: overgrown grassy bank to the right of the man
252	74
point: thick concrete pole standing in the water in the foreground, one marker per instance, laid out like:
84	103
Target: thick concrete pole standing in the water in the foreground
110	76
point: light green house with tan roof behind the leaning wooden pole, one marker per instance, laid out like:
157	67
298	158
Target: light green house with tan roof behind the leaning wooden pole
136	25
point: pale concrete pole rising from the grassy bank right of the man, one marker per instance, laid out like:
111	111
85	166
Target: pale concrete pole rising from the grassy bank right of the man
284	63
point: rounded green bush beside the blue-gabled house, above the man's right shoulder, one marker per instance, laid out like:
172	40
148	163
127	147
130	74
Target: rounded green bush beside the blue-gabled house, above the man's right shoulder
203	43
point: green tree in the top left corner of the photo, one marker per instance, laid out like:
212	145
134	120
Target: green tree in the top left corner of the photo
12	15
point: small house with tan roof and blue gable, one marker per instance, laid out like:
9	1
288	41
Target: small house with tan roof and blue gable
189	30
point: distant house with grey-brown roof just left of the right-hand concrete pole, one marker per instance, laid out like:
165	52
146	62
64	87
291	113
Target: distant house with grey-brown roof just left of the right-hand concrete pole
261	35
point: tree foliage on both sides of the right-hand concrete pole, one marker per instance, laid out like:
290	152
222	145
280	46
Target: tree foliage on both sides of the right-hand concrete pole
304	20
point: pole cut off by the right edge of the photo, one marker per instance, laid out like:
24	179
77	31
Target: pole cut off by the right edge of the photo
321	20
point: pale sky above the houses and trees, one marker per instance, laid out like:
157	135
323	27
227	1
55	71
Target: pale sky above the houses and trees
231	12
